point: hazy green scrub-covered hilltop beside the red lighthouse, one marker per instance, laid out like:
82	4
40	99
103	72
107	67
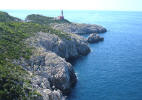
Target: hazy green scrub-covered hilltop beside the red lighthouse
44	20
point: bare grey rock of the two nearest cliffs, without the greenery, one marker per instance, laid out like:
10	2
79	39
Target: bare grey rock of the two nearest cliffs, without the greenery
53	75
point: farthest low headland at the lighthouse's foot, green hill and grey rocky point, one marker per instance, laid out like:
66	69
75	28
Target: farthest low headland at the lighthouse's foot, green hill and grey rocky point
65	25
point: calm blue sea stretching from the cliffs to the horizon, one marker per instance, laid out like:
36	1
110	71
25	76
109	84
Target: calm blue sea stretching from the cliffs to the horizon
113	69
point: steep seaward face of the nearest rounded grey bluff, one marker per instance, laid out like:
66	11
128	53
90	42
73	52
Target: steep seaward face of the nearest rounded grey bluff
62	73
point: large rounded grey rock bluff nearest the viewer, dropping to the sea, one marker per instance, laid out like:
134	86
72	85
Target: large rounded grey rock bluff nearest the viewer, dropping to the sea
58	72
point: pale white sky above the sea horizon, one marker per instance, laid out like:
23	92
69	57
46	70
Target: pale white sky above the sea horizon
113	5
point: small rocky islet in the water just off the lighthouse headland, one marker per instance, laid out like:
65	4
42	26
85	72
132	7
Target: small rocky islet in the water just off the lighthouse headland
93	38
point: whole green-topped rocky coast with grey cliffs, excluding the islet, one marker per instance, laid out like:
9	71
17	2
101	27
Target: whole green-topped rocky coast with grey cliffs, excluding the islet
34	56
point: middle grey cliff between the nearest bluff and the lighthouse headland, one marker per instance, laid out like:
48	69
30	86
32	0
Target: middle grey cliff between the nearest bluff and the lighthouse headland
66	48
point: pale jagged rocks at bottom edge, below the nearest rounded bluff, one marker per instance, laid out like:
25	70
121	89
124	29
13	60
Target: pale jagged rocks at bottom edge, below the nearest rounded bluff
42	86
